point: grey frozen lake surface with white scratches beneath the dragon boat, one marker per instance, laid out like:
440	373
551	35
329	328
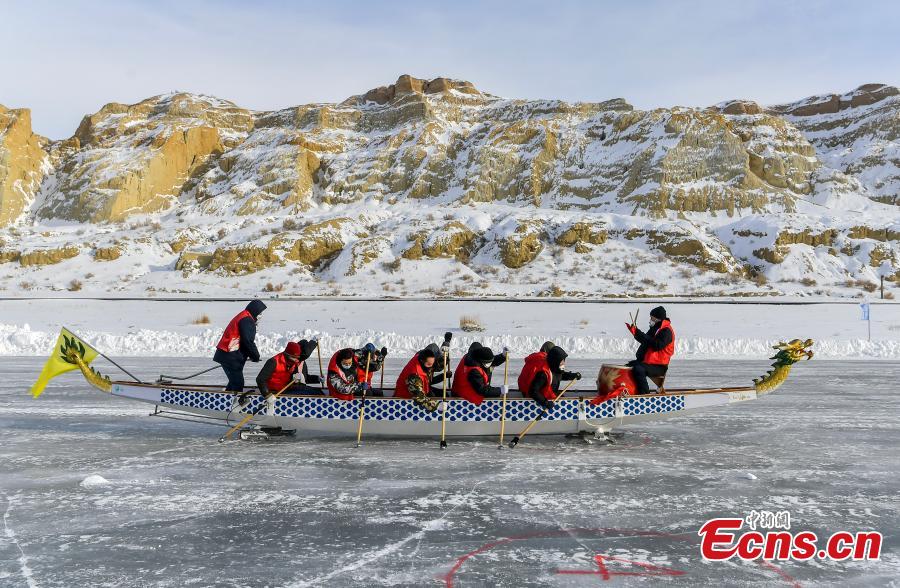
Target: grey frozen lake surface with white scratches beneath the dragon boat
172	507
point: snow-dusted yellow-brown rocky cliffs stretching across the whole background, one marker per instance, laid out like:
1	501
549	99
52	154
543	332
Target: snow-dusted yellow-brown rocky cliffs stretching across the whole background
436	186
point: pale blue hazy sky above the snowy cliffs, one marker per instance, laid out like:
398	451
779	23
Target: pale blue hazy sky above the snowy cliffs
66	59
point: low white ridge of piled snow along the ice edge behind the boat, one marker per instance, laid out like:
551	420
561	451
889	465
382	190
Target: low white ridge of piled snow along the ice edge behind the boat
23	341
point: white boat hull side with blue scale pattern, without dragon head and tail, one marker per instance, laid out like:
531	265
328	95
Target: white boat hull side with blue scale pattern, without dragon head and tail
396	417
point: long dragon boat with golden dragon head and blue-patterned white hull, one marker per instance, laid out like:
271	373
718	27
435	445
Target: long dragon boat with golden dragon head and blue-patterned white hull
581	412
